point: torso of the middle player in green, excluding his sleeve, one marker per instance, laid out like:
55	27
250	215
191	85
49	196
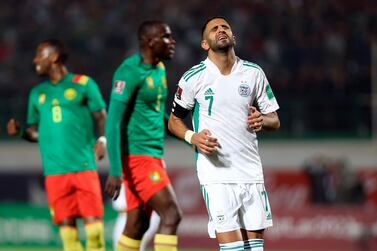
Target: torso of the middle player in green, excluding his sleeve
146	130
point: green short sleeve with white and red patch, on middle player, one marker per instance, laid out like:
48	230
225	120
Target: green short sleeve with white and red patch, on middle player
126	80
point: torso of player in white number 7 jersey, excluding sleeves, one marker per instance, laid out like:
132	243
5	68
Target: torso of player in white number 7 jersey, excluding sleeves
222	107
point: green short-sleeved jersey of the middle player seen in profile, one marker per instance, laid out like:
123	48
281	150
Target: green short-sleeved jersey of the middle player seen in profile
143	88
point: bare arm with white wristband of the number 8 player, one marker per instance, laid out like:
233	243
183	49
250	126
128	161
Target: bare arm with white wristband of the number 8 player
100	146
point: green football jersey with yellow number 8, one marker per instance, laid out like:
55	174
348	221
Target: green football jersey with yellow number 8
62	113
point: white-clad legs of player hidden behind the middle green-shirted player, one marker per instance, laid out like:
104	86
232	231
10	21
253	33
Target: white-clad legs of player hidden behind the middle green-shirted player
120	205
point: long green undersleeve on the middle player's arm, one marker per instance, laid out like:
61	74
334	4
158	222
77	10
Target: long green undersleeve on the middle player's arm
112	131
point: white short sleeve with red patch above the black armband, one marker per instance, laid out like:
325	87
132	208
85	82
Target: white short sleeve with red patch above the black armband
185	94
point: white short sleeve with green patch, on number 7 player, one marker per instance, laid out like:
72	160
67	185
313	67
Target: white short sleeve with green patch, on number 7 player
264	96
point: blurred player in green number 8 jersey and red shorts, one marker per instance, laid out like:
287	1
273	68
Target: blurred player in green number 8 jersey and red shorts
62	112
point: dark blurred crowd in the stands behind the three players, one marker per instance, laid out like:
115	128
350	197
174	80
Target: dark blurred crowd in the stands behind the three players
316	54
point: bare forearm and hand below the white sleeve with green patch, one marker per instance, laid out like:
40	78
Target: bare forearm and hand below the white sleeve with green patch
257	121
